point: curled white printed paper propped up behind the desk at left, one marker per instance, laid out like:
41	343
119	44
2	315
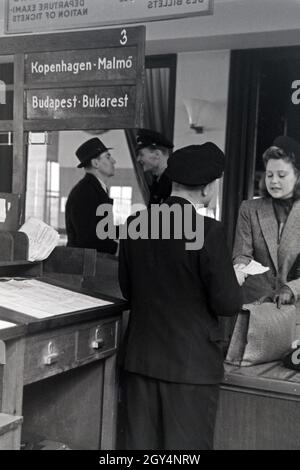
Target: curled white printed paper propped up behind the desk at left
42	239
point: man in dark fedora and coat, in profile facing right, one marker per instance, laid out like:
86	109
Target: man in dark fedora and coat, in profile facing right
88	194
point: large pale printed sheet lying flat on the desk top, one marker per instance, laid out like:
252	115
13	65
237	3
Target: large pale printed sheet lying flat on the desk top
41	300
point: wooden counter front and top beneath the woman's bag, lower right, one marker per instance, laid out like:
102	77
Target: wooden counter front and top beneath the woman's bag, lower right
259	408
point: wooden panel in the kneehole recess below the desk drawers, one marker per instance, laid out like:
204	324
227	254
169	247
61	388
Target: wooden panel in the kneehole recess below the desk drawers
66	408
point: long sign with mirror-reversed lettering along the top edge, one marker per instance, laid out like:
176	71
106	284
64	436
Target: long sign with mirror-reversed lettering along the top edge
46	15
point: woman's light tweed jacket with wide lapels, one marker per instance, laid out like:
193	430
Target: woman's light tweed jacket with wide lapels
257	238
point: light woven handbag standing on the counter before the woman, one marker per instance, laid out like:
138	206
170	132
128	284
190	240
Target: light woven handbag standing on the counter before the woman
262	333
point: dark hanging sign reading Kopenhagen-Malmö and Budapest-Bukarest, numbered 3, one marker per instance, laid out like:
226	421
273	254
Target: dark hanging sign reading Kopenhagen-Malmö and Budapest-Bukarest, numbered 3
103	85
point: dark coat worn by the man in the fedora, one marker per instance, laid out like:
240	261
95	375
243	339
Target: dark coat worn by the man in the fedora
81	219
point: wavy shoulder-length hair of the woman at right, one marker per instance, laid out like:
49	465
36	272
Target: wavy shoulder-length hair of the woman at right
276	153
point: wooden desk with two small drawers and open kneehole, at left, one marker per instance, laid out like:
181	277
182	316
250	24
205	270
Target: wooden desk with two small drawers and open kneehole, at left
60	375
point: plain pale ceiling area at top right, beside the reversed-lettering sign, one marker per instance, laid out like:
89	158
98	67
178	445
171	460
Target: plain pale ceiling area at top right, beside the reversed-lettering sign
234	24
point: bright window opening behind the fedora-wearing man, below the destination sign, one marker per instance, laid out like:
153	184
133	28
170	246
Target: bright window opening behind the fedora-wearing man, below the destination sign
52	173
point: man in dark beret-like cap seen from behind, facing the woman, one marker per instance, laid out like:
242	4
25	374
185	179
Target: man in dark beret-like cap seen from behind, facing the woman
173	359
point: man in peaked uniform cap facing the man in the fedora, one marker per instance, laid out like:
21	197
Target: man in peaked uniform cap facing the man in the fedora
153	151
